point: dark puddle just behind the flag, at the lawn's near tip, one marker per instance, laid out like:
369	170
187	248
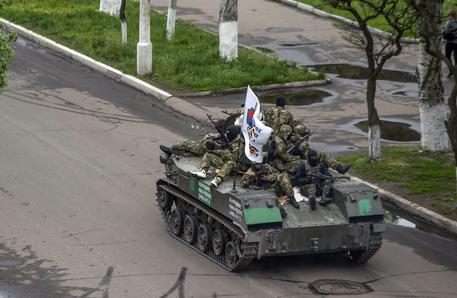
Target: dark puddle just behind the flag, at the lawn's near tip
297	98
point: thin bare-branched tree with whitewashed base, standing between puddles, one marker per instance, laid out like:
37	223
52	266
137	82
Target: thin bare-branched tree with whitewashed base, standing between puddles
397	14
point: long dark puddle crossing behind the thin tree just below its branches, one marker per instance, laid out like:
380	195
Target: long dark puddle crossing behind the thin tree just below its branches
356	72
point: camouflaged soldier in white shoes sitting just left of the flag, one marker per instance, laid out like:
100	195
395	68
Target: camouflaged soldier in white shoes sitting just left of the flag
223	159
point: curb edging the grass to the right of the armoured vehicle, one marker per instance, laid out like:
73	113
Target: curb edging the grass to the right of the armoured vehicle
431	218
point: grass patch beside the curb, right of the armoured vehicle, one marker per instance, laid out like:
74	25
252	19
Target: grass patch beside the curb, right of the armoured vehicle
426	178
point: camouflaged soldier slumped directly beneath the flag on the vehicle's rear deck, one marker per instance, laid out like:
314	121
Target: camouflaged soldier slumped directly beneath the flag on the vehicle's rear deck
265	175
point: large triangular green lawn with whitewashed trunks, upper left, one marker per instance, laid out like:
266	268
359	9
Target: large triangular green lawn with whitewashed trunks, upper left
188	63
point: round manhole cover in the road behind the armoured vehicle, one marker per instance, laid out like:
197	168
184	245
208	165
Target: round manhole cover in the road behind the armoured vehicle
339	287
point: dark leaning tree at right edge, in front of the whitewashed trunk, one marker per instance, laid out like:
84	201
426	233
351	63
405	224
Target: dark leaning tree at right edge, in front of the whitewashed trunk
422	8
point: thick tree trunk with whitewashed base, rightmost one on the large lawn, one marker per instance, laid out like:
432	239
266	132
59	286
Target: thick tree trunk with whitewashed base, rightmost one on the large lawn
228	29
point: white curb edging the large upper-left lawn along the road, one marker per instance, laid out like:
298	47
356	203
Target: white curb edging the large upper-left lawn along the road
106	70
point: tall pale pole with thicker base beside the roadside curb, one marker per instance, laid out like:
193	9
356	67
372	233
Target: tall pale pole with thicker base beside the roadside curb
144	46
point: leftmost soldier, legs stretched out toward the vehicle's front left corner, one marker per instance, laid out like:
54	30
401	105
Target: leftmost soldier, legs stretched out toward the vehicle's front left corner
197	148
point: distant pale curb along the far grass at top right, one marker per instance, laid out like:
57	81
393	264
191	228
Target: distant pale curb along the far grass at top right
321	13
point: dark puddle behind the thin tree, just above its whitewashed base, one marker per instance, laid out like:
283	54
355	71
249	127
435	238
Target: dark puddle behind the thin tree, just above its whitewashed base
393	131
